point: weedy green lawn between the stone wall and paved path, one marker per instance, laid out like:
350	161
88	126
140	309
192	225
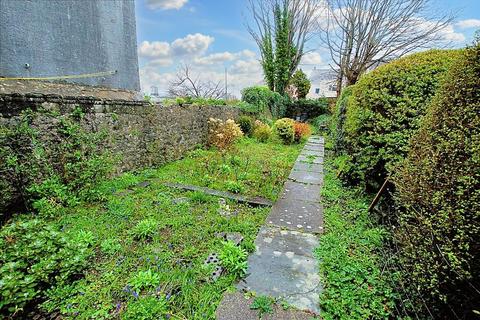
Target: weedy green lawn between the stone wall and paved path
148	243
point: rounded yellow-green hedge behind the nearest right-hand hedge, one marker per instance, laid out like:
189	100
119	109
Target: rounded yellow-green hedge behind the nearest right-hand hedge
386	109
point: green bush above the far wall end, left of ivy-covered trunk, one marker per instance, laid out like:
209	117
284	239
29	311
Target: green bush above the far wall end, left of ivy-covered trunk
266	101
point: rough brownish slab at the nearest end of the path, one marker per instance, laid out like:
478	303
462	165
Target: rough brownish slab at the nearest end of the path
235	306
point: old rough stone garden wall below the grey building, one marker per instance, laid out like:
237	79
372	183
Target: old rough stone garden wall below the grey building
141	134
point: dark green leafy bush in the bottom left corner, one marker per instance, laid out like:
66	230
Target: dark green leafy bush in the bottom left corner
34	257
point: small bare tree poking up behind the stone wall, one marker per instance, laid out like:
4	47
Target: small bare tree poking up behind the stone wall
186	85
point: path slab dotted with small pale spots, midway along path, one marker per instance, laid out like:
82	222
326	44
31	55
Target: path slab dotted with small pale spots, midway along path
297	215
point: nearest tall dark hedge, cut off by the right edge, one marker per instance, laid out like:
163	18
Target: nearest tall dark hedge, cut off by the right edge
439	189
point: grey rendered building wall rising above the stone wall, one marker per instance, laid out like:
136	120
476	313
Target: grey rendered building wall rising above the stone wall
55	38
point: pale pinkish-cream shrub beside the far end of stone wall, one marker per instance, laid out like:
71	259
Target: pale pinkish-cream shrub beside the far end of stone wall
222	134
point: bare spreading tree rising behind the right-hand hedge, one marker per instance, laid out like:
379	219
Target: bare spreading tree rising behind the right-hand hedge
363	33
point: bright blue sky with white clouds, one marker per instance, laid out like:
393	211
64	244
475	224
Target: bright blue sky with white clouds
210	36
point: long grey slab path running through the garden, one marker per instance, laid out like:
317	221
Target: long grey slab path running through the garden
283	265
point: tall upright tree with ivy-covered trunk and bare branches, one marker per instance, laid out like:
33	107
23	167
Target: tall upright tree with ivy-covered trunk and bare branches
281	28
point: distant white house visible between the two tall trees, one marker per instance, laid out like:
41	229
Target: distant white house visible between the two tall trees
323	84
